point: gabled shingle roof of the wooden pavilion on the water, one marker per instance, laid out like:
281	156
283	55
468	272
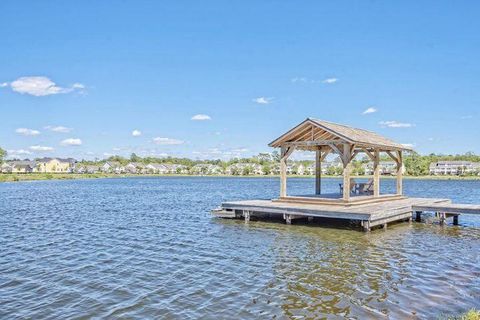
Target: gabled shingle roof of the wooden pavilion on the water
312	133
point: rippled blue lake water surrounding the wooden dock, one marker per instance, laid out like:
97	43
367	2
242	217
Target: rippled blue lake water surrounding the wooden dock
148	248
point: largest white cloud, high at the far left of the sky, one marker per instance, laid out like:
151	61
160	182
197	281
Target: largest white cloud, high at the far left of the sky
40	86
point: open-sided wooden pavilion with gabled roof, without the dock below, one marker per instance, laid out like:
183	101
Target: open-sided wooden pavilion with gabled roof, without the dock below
324	138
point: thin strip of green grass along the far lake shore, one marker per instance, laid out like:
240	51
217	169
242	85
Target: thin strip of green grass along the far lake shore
13	177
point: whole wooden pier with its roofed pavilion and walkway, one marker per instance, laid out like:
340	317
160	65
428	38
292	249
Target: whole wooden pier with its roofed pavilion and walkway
361	202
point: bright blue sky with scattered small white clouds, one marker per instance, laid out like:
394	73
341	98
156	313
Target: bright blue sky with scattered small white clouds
77	79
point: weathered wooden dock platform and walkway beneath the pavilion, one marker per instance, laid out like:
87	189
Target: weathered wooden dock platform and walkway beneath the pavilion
368	215
